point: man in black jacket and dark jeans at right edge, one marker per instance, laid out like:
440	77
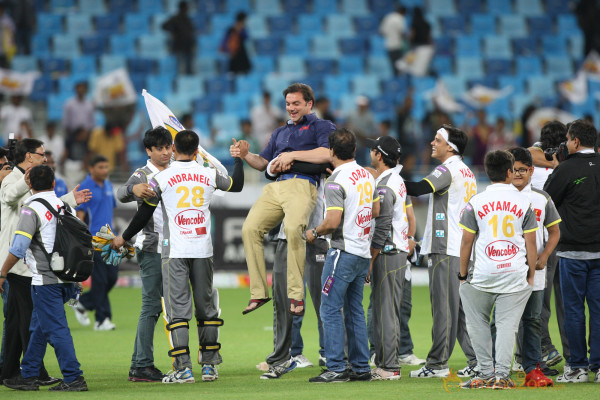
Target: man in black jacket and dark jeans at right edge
575	186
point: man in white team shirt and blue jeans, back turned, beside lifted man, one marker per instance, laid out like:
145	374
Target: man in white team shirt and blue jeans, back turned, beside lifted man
351	202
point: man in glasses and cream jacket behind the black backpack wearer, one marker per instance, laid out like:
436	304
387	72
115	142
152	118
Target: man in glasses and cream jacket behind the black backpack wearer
14	191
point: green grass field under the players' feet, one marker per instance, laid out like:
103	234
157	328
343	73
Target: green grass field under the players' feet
247	340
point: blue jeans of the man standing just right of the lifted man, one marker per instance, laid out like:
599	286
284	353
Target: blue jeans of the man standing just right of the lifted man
345	293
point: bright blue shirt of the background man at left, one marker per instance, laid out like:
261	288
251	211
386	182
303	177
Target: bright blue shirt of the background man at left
99	209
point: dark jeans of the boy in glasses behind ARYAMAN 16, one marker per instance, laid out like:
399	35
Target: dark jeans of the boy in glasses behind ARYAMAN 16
531	332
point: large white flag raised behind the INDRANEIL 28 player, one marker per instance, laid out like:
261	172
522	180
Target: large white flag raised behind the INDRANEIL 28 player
161	115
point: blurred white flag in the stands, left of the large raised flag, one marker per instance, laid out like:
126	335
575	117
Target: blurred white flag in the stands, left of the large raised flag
114	89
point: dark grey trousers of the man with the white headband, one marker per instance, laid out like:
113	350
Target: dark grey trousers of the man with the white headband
448	316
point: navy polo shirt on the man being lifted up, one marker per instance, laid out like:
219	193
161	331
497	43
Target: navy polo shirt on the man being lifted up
309	134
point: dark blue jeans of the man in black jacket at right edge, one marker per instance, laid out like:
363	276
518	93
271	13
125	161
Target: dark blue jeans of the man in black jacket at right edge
580	282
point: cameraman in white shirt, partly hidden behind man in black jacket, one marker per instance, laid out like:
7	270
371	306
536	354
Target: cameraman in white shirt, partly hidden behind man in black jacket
546	155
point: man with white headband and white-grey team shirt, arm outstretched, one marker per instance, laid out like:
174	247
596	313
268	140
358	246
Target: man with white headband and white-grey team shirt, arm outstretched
450	185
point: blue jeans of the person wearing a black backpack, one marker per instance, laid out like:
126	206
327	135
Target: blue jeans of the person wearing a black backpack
49	325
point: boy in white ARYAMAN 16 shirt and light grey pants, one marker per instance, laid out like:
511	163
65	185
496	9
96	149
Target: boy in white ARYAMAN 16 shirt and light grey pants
502	224
